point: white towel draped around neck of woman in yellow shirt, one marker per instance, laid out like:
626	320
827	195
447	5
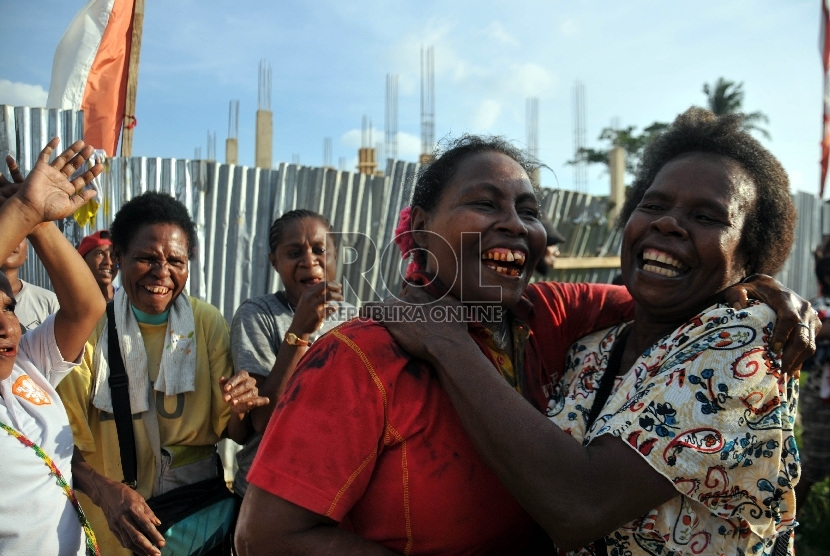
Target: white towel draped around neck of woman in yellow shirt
177	371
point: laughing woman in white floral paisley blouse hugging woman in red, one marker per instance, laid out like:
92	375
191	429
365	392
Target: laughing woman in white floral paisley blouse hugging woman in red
693	451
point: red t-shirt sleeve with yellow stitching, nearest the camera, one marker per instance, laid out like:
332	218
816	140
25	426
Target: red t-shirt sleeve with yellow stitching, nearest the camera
322	442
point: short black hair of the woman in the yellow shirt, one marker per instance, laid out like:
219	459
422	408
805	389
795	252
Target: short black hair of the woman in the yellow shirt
151	208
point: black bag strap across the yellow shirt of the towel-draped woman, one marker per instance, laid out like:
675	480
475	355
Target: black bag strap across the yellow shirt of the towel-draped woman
120	391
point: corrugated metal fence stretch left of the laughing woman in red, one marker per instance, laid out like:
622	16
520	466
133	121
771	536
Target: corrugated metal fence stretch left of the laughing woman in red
233	207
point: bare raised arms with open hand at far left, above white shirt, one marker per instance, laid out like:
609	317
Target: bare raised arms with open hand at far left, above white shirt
46	195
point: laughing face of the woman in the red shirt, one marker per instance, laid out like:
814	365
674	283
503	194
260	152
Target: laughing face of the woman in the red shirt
484	236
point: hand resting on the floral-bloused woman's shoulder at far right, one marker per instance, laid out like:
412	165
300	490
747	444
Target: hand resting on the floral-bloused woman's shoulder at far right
797	322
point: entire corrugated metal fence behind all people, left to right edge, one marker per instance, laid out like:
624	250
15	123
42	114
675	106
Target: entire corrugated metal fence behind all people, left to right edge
233	207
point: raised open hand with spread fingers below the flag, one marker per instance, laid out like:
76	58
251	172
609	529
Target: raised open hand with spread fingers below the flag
47	191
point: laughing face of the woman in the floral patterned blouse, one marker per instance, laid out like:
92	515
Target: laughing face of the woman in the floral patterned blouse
683	243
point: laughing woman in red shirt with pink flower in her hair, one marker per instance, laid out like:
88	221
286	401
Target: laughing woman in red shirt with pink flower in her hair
364	452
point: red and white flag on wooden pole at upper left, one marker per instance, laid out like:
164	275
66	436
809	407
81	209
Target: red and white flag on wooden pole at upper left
89	71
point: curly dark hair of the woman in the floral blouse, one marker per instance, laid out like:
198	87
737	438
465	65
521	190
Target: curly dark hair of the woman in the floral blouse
769	231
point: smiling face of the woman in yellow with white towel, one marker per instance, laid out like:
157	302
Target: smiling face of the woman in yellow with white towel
154	268
